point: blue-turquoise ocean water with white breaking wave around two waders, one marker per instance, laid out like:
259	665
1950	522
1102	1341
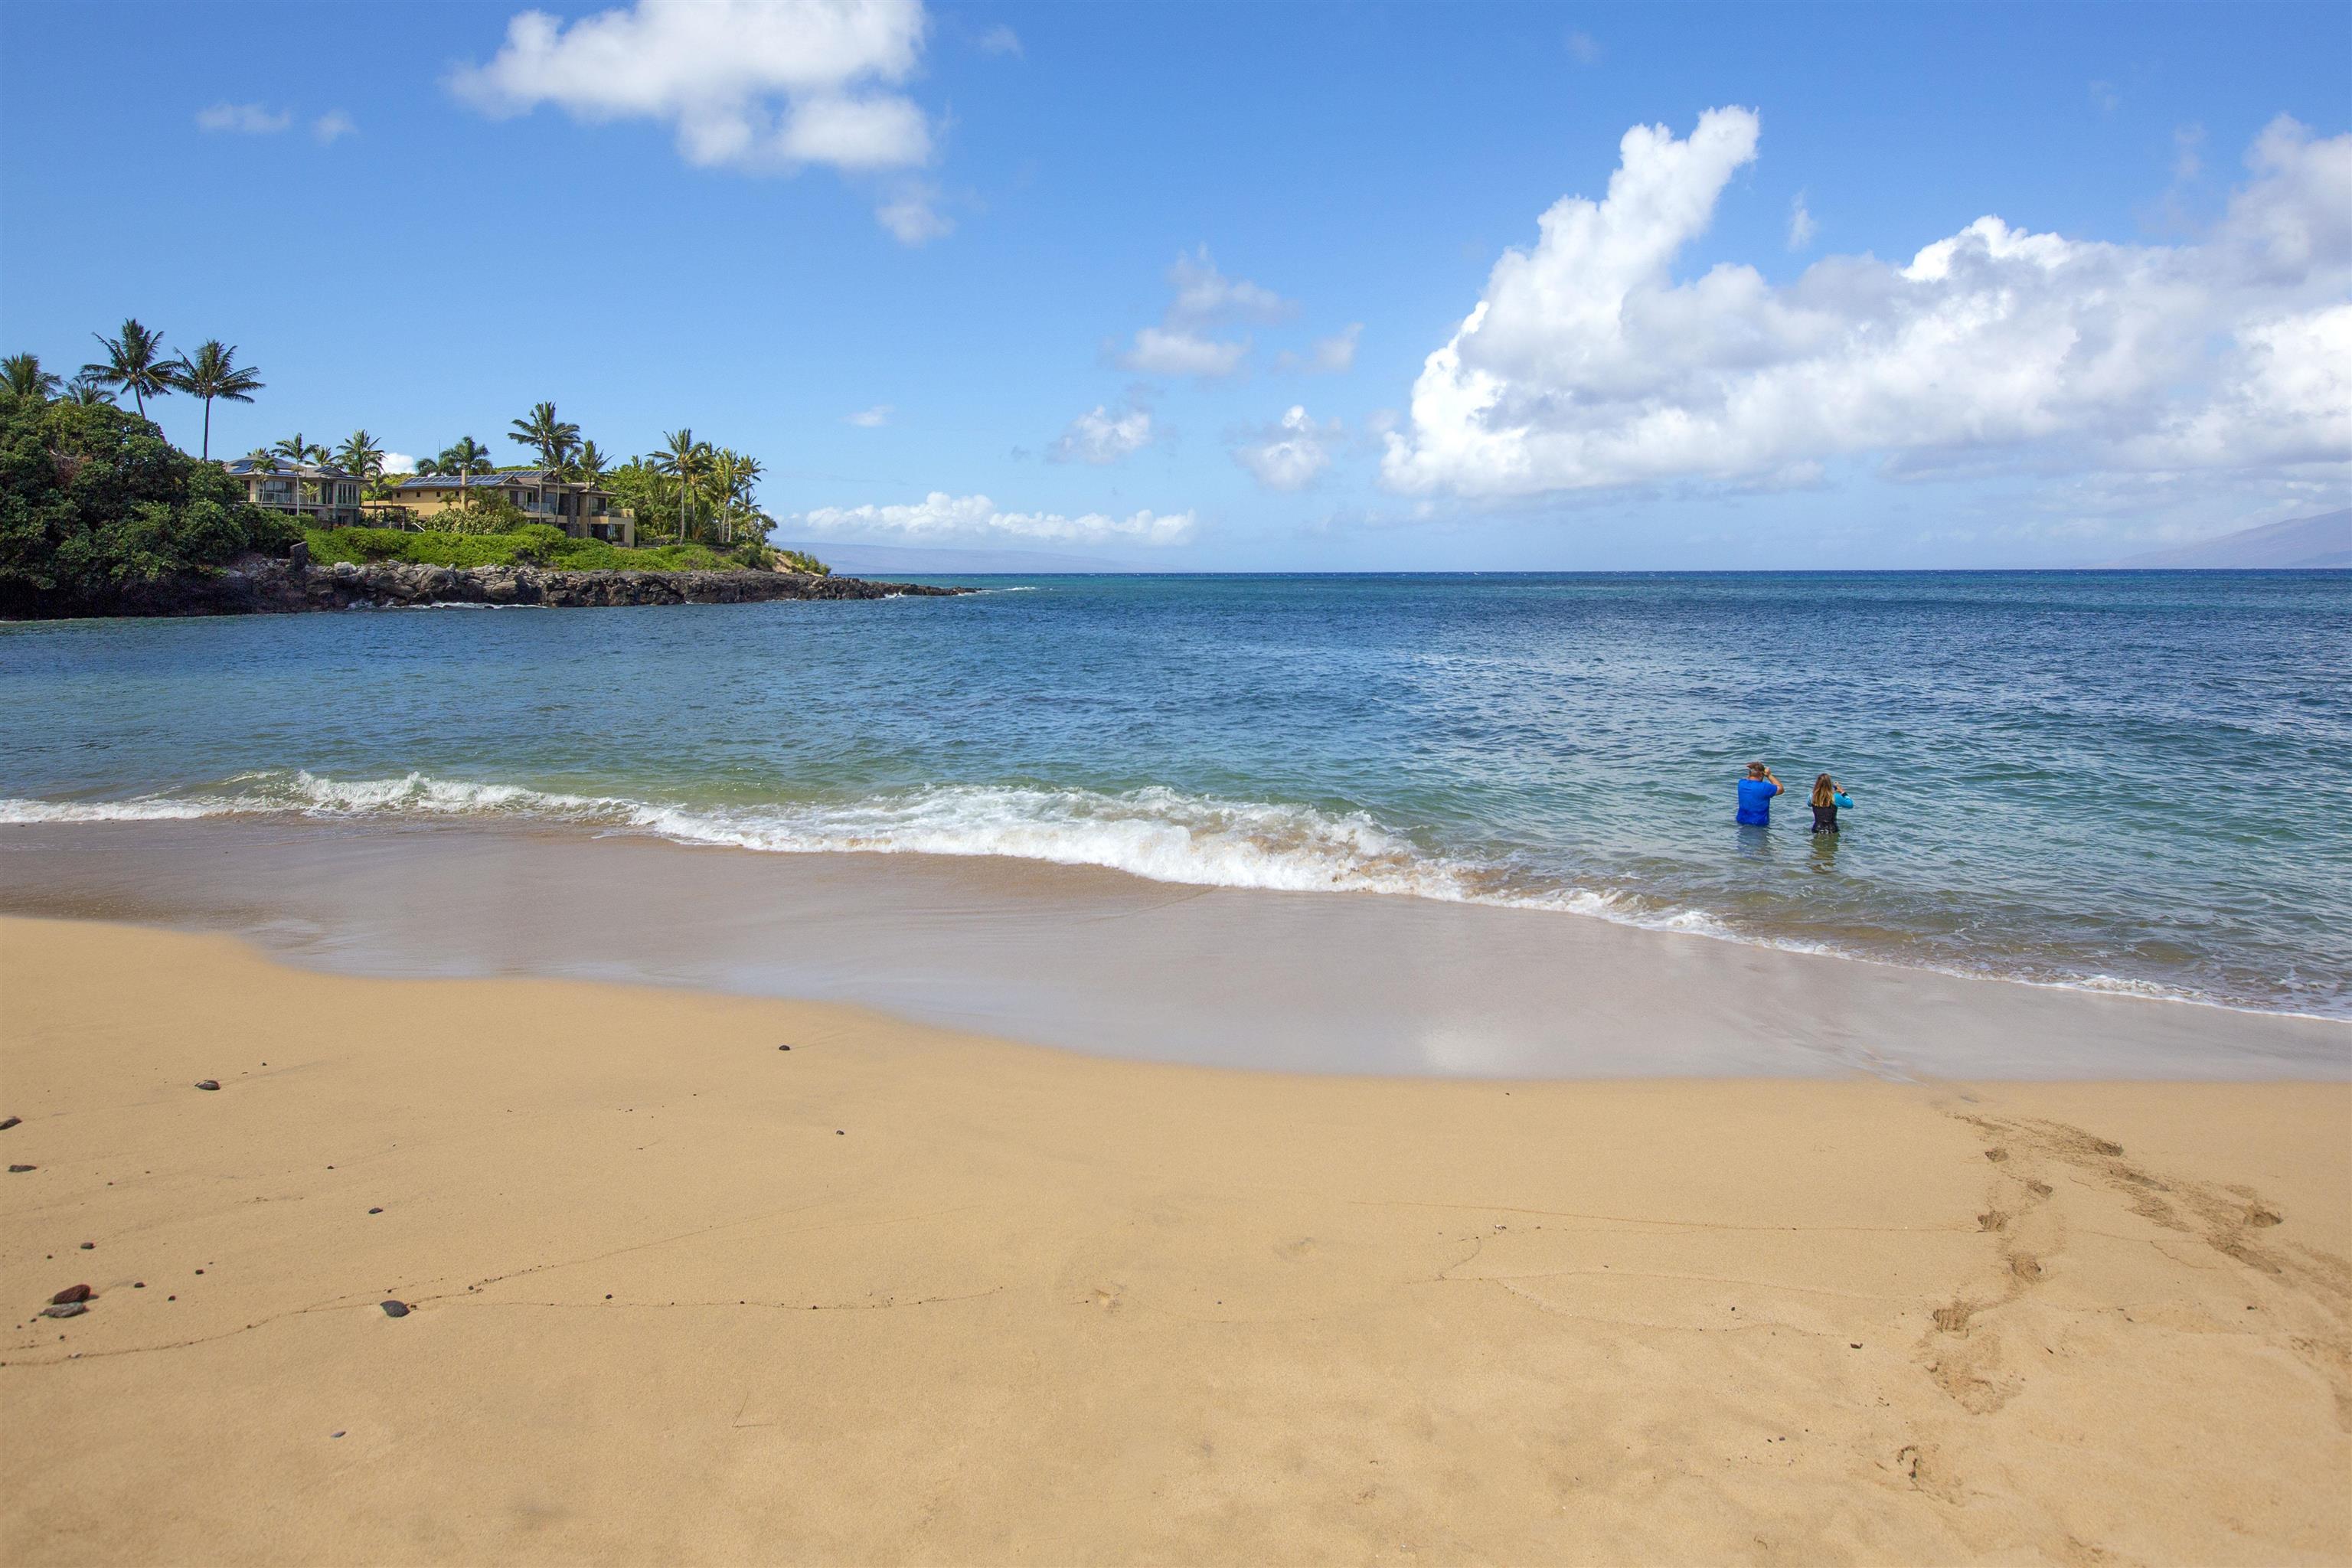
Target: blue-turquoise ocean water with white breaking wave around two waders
2127	782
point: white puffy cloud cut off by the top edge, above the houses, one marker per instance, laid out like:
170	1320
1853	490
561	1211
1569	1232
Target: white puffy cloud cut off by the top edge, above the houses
763	86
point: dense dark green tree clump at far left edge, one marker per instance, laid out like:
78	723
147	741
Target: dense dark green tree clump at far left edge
95	500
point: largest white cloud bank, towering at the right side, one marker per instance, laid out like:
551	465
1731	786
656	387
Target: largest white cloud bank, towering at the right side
1589	366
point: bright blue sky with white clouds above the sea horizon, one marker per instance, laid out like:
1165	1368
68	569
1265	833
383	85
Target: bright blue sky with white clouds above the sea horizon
956	222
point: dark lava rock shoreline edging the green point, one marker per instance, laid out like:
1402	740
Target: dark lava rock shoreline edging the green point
262	587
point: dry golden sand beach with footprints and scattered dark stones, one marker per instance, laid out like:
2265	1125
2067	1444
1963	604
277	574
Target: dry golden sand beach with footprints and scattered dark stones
907	1294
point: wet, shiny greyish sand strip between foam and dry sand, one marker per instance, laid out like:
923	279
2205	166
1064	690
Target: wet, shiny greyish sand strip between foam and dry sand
1107	963
